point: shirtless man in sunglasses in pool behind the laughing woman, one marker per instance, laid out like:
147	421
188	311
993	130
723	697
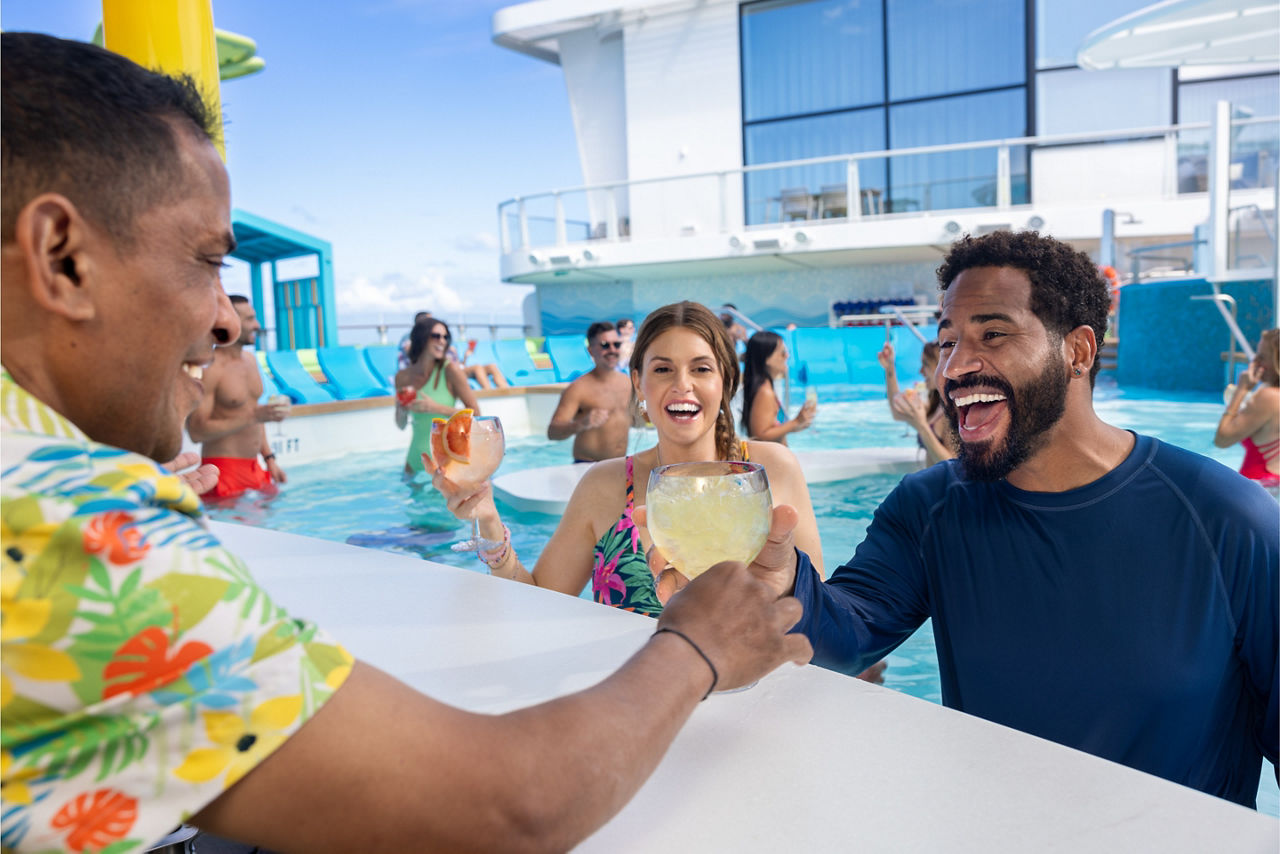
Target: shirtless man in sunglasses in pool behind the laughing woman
596	409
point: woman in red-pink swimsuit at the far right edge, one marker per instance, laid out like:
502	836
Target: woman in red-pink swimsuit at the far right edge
1255	423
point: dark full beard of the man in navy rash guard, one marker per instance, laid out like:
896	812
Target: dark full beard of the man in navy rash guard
1034	409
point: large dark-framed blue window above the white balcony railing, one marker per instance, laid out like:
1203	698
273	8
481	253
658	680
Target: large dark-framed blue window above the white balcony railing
829	77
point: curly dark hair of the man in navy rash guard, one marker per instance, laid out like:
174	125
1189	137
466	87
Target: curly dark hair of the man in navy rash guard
1067	289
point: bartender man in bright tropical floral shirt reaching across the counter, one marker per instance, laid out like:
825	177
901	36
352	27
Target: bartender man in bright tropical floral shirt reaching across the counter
147	678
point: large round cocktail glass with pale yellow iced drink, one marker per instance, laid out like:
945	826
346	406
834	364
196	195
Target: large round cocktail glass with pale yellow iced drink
701	514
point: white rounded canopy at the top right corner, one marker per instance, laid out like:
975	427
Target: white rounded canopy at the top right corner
1187	33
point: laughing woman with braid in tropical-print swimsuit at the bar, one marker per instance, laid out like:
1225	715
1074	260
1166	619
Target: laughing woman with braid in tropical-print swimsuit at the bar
684	375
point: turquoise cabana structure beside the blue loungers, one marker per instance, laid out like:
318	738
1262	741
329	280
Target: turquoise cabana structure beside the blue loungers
304	307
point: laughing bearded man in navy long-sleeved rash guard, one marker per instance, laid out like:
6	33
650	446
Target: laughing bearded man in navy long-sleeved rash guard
1087	584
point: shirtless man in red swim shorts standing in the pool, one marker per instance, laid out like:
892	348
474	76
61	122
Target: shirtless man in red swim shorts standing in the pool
230	419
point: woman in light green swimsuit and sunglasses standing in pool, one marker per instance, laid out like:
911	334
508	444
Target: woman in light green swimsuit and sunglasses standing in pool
440	385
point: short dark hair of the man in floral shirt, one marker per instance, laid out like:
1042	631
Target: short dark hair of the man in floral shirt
93	126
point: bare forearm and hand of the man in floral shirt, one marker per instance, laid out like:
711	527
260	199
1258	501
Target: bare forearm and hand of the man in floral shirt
382	768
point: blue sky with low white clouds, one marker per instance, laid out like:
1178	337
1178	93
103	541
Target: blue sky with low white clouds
391	129
